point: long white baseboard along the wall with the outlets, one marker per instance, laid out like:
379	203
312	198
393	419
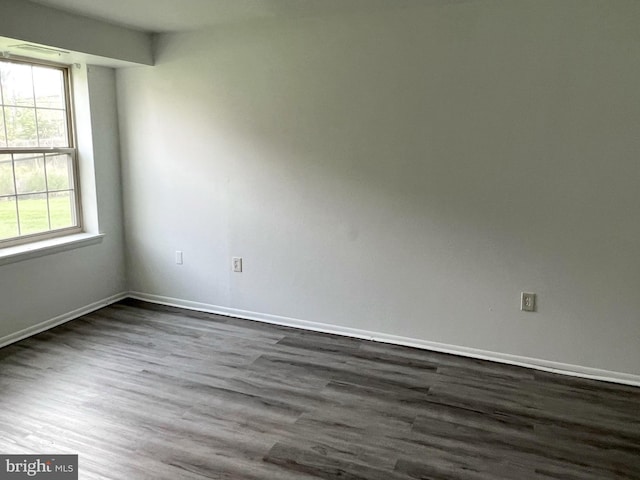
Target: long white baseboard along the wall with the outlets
538	364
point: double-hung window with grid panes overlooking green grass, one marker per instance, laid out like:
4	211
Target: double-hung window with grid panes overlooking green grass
38	160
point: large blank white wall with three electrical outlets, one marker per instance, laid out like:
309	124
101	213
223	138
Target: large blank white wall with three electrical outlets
405	172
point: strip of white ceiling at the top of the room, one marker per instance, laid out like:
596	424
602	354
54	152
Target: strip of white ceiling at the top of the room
181	15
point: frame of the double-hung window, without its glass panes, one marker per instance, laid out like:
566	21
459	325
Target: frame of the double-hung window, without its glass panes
71	150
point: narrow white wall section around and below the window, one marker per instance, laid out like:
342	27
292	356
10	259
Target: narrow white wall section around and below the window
40	289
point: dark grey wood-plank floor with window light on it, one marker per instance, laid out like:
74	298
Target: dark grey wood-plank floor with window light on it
147	392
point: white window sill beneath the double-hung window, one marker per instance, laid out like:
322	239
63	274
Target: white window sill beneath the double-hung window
48	247
